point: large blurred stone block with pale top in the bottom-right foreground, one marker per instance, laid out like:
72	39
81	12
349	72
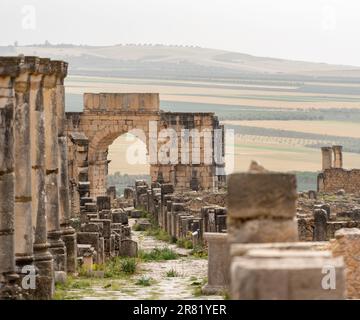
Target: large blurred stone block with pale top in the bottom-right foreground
287	276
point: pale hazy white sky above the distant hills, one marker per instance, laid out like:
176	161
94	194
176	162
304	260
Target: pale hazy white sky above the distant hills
313	30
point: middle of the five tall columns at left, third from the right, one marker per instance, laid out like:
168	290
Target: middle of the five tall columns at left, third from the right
43	259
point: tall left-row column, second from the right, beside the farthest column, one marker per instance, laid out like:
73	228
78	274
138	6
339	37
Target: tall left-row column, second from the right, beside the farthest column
57	246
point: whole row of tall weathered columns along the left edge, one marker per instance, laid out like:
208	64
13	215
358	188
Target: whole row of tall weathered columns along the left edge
34	195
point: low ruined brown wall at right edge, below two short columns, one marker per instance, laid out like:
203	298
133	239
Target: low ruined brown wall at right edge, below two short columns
334	179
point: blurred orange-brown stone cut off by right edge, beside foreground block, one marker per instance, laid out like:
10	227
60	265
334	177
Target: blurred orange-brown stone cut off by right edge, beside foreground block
347	245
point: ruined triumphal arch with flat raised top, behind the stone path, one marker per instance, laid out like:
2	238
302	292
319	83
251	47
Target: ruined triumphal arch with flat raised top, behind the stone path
107	116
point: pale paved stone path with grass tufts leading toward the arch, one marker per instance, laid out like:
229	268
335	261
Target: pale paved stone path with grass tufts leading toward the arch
190	272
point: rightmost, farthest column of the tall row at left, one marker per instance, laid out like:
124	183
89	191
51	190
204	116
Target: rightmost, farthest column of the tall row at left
68	233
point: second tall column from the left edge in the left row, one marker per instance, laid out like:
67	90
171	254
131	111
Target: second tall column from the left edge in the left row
22	162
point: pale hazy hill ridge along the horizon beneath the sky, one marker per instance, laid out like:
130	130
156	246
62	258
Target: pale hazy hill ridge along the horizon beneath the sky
178	62
